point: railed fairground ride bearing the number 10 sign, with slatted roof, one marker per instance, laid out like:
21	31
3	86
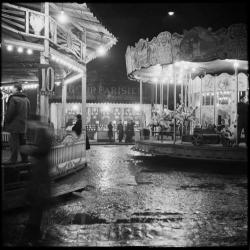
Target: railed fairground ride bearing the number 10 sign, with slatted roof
43	45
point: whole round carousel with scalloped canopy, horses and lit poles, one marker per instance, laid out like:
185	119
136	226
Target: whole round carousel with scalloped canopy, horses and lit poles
199	77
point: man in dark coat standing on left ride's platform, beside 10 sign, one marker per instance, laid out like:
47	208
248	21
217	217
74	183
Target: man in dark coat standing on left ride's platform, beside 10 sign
18	108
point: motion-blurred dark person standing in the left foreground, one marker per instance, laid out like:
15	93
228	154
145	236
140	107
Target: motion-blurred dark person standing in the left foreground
39	192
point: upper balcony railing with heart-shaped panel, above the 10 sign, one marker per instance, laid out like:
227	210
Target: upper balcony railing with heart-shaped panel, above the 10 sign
31	23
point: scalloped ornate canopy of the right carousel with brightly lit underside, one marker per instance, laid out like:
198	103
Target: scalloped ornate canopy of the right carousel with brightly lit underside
198	51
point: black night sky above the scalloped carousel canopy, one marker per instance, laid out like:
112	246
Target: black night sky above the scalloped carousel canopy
131	21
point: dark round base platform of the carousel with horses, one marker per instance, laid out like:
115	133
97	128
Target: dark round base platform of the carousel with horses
186	150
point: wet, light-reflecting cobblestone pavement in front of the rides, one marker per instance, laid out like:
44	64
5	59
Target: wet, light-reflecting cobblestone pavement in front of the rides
134	199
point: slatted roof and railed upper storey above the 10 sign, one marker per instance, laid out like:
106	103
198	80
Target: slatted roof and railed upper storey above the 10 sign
76	41
